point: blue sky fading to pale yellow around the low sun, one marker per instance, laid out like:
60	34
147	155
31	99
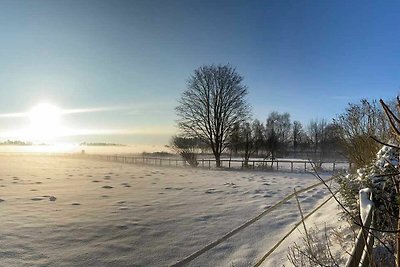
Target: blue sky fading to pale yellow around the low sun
124	64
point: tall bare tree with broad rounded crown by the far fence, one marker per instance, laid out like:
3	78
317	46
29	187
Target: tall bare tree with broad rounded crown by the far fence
212	104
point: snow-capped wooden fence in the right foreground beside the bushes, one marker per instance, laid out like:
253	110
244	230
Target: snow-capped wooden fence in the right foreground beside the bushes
362	251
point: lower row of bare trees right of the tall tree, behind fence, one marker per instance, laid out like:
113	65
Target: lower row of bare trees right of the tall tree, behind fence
278	136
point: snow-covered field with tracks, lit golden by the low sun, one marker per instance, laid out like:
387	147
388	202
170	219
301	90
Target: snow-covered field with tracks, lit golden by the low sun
76	212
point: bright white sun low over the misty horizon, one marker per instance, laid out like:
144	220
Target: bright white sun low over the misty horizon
45	122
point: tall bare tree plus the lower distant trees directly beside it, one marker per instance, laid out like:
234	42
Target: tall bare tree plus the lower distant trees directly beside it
213	115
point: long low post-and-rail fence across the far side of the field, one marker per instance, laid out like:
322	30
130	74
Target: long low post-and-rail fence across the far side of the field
257	164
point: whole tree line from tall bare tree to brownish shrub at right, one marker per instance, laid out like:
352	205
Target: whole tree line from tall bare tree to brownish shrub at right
213	115
